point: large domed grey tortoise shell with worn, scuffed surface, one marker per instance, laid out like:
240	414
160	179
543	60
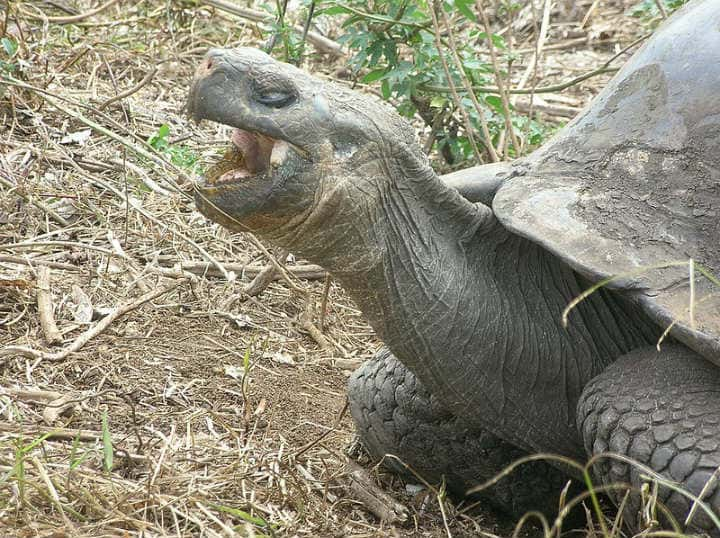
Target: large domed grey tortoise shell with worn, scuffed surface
629	191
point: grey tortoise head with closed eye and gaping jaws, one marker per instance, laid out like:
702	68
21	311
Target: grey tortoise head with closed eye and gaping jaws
296	141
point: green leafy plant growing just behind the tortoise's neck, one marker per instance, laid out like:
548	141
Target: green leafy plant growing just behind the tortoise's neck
393	45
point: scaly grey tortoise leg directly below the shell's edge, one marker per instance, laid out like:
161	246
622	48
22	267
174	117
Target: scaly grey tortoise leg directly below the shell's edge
661	409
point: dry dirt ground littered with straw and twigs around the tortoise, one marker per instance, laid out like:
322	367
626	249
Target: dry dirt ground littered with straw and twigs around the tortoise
172	403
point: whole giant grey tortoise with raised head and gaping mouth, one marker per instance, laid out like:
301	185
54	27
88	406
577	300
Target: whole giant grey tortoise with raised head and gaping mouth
465	278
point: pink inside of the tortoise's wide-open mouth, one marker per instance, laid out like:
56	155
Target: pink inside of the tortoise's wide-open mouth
250	155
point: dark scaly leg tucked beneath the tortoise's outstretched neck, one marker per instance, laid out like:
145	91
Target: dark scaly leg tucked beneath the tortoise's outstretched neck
394	414
